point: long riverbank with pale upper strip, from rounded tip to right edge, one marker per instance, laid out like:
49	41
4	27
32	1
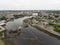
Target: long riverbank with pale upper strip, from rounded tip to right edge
49	32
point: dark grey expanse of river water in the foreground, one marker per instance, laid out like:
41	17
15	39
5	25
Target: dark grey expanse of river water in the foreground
32	36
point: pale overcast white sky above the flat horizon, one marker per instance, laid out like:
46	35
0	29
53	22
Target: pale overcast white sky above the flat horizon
29	4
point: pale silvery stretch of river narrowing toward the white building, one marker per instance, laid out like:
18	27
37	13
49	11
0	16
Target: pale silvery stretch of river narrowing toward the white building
13	25
